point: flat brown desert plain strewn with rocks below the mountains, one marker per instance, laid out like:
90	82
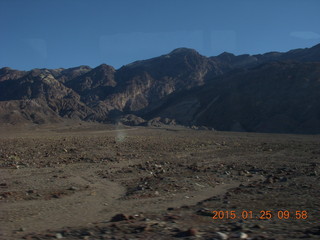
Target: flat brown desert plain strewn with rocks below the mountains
94	181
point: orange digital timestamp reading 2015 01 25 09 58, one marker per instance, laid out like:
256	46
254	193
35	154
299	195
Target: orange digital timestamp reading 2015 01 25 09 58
263	214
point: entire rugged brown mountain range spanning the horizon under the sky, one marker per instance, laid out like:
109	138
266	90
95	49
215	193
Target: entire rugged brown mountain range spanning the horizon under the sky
272	92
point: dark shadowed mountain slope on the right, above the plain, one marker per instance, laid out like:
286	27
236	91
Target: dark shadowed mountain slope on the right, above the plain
275	97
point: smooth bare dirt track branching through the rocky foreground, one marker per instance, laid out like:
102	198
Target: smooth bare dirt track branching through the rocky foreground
97	201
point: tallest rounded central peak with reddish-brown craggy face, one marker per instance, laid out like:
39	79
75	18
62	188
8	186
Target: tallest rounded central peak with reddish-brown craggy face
144	83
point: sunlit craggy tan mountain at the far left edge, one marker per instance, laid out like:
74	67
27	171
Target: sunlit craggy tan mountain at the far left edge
38	93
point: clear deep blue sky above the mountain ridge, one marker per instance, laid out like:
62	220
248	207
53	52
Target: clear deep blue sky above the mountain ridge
69	33
